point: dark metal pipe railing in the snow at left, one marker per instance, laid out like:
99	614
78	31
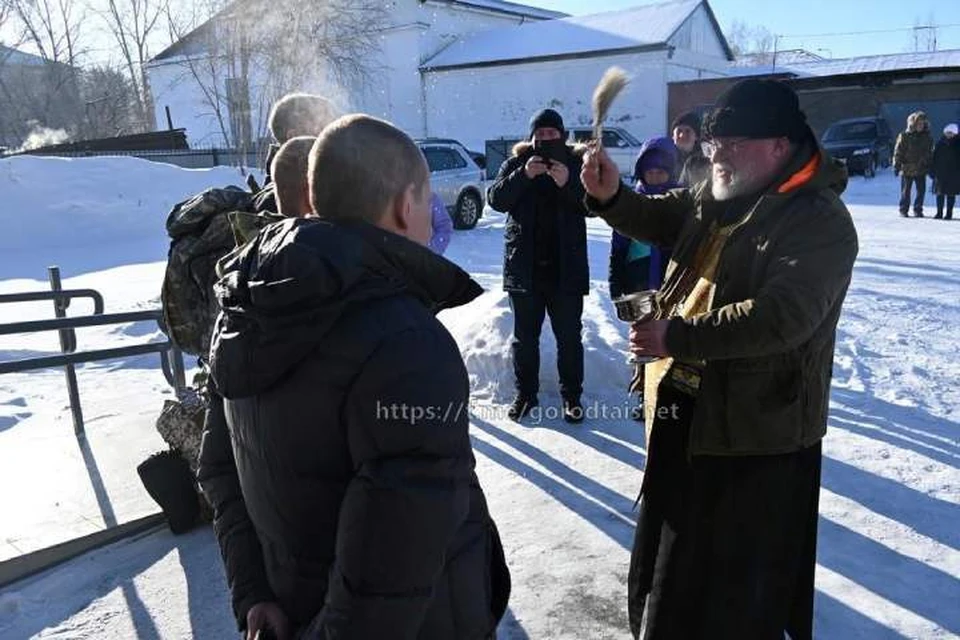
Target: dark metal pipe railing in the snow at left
171	359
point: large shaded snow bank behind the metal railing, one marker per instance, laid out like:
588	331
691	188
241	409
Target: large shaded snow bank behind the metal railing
61	210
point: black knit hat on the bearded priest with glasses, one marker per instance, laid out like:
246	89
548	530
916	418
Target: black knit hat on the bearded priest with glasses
757	109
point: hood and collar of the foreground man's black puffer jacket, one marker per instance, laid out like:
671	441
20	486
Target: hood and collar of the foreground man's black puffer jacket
286	290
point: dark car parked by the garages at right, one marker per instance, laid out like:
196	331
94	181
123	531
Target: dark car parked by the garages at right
863	144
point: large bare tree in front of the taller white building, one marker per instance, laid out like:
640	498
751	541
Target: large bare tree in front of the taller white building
251	53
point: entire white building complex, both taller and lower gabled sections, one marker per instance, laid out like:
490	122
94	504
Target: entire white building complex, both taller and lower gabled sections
477	69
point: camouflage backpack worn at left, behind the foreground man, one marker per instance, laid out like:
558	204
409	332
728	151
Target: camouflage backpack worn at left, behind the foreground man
203	230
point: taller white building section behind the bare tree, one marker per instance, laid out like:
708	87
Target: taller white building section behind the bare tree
417	30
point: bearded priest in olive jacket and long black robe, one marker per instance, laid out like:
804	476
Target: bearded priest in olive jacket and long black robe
737	403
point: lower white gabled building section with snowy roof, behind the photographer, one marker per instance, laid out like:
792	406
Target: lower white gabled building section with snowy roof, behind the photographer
487	85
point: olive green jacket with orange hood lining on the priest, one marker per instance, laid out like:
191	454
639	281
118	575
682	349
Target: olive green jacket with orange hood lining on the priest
768	339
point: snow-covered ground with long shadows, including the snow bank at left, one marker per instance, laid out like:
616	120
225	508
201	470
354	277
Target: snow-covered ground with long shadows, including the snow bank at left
889	552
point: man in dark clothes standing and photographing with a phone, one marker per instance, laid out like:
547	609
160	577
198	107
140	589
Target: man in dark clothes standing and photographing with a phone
545	267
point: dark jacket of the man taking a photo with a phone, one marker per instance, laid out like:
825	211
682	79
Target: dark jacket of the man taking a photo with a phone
530	203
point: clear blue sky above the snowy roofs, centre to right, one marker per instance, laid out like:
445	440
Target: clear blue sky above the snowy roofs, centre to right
797	20
